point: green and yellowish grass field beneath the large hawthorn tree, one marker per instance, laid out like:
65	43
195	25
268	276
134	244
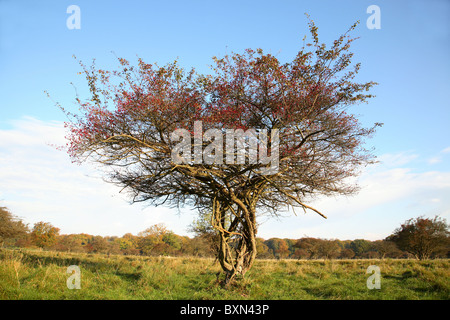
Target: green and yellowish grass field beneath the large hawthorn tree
32	274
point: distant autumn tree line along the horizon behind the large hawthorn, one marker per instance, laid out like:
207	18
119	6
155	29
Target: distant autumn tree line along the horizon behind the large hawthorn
420	238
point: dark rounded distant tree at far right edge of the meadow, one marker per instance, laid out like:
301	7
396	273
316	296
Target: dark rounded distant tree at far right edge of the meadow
423	237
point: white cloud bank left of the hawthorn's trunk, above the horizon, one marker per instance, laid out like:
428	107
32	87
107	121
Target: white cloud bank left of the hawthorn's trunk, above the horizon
39	183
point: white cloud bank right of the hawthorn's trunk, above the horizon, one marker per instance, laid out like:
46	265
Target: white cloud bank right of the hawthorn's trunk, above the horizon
387	198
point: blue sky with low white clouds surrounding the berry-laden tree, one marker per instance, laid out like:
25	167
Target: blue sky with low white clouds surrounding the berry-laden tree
408	57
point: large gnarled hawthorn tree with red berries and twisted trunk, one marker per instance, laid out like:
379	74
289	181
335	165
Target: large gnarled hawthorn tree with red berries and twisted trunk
297	112
